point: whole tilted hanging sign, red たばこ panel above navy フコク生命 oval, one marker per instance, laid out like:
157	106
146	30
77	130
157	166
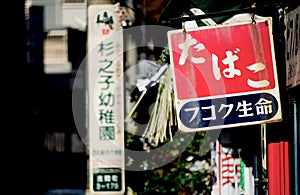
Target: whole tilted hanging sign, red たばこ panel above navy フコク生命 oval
225	75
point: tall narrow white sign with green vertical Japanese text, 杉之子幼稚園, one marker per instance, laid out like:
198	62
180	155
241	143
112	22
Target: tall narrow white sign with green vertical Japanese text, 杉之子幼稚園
105	101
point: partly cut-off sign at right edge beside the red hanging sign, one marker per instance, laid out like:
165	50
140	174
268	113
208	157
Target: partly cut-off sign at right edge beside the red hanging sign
292	47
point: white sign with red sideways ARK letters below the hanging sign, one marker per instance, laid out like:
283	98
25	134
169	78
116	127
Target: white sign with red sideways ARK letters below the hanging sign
230	174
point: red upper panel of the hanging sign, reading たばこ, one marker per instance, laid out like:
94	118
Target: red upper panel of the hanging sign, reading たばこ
223	59
